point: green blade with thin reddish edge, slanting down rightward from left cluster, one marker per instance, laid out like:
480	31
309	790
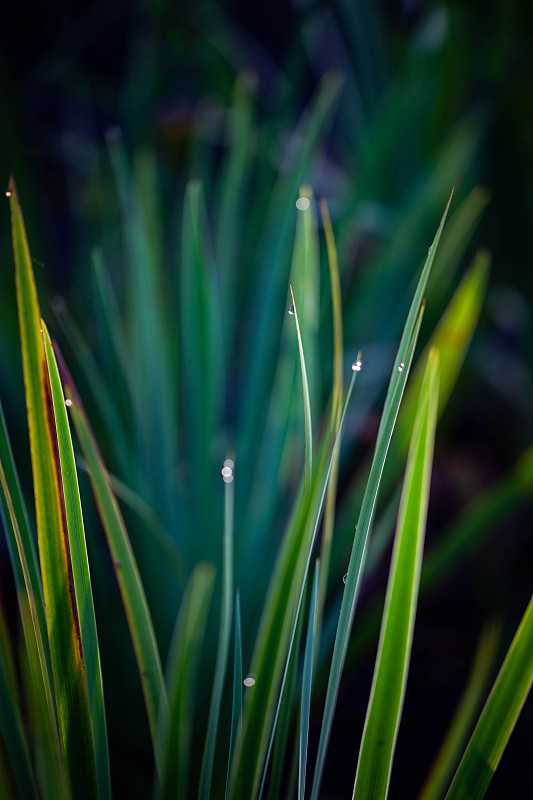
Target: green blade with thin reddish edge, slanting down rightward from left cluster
124	563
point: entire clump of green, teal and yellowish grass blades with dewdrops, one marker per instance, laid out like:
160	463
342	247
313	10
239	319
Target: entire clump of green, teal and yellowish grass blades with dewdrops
198	443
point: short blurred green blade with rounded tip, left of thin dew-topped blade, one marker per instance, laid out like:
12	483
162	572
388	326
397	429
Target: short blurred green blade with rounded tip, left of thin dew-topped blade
181	676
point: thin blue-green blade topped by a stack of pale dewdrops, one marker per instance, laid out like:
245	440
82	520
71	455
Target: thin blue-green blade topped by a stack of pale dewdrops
226	611
